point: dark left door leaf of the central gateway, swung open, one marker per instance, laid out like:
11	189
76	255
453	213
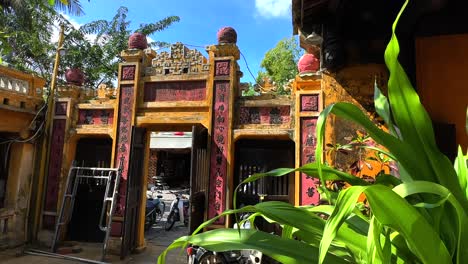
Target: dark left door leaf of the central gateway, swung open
132	205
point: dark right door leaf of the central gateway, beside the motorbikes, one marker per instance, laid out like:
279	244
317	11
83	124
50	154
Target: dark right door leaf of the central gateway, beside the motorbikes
199	174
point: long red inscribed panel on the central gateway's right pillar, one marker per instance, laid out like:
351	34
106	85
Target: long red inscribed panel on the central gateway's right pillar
219	150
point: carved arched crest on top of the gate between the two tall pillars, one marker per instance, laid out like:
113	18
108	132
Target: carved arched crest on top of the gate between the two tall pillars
180	60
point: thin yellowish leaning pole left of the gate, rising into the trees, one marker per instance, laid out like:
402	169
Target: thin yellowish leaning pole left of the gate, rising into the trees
45	149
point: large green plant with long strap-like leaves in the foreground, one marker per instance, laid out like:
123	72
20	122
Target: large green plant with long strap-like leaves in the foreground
419	218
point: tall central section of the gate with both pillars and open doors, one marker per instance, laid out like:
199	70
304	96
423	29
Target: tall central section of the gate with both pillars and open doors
179	90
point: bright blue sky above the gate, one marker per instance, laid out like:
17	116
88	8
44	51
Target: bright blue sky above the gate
260	24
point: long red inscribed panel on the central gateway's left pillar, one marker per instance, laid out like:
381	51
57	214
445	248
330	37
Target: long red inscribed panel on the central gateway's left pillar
124	141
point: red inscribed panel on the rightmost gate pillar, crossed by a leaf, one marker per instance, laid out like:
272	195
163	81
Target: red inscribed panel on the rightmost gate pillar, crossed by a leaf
309	193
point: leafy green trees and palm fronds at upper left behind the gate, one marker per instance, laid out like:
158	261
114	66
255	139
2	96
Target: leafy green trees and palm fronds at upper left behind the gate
94	47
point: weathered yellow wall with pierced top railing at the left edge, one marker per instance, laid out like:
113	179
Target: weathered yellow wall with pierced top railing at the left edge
18	106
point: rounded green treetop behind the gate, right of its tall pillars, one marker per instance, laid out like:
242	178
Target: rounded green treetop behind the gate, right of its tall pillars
279	63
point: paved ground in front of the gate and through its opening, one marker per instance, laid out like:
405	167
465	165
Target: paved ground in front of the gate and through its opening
157	240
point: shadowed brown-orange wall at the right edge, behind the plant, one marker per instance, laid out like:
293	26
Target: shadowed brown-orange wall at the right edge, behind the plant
442	67
